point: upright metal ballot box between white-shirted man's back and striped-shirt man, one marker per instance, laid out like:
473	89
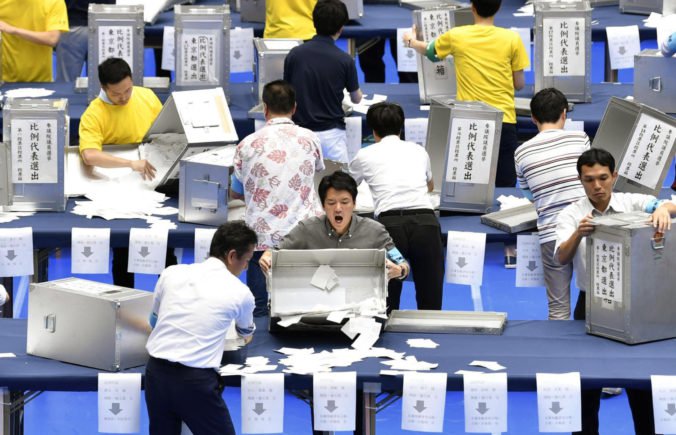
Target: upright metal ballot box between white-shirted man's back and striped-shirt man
463	139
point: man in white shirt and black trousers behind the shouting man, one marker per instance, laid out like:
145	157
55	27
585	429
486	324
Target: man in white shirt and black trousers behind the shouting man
400	176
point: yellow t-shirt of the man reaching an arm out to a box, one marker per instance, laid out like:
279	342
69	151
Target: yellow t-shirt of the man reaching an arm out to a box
485	58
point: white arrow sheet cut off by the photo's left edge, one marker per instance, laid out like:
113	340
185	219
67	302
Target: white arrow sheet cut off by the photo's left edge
16	251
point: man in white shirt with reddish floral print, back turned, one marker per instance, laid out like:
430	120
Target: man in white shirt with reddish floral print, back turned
274	175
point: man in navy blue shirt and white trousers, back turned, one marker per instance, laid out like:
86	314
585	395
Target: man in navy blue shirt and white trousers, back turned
319	71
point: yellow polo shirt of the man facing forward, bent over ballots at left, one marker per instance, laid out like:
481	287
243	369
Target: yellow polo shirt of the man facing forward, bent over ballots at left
104	123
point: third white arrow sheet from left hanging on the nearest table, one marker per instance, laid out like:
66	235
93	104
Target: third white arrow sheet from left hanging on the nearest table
334	401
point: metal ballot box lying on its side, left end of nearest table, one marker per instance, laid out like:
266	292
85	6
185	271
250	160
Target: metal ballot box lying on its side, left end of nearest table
88	323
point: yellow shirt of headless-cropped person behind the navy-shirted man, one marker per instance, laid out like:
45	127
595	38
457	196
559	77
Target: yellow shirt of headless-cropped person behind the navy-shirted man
289	19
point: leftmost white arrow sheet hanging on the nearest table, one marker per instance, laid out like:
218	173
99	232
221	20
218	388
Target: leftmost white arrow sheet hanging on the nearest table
119	402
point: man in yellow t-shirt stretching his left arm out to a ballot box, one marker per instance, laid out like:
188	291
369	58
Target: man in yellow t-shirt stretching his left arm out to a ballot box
489	64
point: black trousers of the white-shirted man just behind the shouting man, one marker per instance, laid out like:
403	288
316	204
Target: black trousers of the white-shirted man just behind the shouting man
418	238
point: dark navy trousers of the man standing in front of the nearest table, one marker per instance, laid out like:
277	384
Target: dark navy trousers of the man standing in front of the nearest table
176	393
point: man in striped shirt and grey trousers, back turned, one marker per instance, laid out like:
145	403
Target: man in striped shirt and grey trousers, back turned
547	173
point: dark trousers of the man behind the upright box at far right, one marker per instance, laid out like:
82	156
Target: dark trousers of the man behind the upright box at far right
640	401
